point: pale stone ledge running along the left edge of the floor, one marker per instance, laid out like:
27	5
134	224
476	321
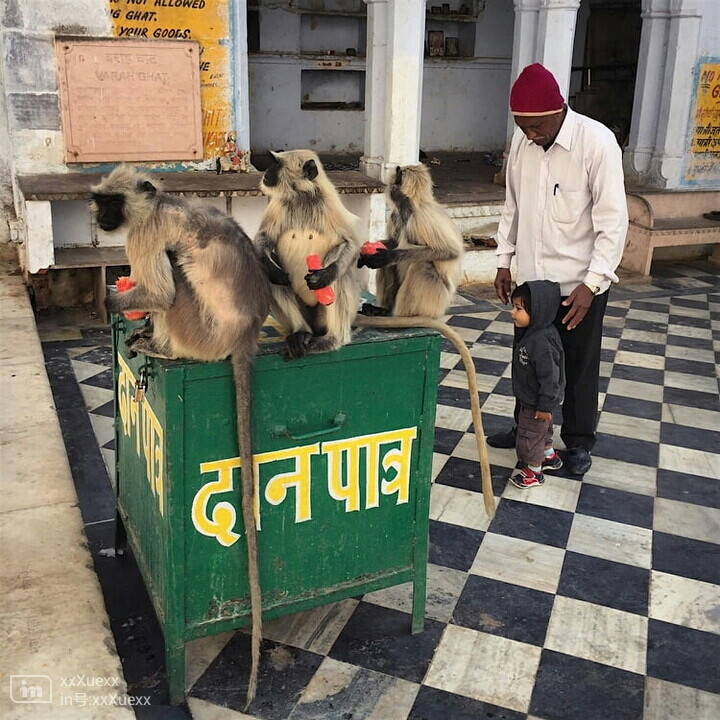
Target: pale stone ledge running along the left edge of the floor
52	619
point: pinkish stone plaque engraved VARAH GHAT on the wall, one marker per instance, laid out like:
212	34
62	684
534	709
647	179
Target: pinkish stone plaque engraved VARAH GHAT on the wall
130	100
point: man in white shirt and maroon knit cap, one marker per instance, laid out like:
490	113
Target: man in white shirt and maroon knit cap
565	219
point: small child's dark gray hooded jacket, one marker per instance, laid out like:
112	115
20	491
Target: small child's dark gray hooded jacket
538	367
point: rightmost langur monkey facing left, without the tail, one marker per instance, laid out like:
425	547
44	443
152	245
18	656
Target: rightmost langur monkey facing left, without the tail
419	273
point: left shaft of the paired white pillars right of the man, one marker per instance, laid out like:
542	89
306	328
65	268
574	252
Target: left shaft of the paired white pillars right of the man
648	88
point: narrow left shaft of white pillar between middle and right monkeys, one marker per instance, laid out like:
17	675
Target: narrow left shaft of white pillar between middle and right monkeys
371	163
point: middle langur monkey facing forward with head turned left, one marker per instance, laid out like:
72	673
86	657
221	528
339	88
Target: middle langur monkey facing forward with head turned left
305	216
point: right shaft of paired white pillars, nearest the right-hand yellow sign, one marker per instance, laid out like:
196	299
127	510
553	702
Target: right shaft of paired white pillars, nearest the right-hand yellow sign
666	164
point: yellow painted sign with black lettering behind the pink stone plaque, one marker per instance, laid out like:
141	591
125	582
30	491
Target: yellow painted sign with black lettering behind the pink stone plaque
207	22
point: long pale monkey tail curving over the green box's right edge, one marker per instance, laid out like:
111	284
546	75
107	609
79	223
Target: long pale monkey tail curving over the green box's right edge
458	342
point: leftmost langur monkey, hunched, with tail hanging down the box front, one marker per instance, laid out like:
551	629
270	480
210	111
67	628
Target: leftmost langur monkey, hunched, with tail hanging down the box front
198	275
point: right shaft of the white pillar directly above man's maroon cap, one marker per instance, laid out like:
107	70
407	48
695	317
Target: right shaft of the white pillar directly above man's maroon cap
555	39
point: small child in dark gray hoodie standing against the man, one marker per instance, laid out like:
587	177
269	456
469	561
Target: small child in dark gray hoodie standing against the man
538	377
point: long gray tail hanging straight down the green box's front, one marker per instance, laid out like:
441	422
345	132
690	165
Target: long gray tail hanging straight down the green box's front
242	372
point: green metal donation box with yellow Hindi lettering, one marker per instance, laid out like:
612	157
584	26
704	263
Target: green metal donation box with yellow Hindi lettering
343	454
